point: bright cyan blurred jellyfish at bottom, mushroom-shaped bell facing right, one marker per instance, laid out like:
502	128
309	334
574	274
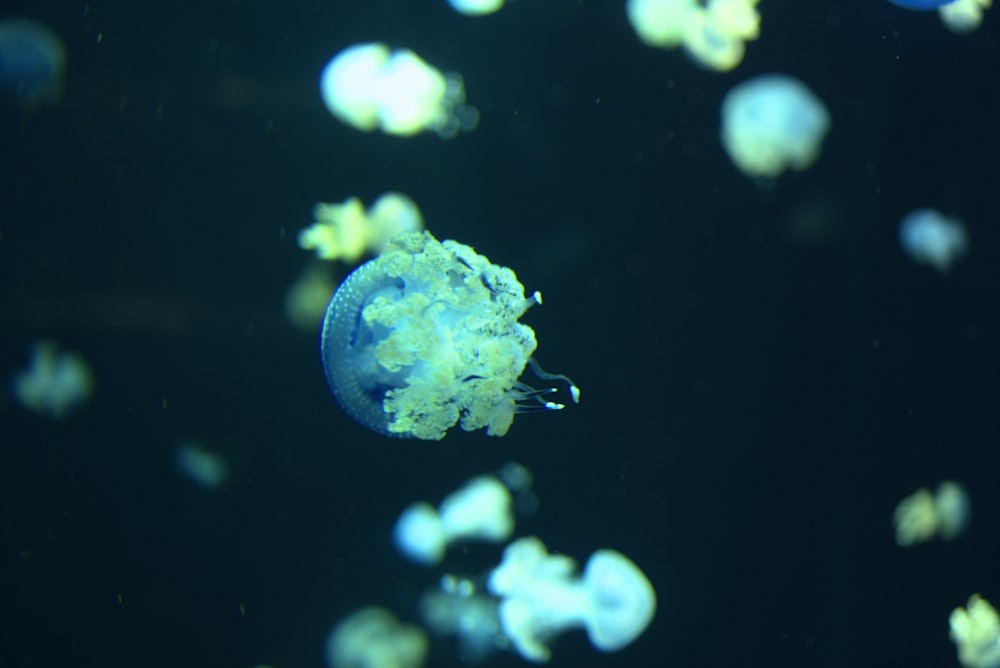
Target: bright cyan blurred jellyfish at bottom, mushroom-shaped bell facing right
540	599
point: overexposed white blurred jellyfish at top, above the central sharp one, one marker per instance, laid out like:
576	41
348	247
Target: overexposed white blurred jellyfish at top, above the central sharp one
369	87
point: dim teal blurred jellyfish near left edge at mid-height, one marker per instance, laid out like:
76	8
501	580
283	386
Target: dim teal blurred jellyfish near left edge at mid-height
55	384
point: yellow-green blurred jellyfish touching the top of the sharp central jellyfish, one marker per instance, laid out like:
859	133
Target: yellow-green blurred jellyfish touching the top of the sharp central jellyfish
347	232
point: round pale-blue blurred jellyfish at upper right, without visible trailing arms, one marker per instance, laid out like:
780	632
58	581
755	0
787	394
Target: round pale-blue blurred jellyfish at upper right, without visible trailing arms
772	123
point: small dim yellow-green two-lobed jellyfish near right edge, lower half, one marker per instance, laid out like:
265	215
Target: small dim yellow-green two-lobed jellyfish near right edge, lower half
923	516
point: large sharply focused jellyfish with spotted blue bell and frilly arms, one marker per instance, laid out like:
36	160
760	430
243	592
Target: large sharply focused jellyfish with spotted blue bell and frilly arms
426	336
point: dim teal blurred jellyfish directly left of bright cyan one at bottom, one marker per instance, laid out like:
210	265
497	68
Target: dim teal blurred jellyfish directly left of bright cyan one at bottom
457	608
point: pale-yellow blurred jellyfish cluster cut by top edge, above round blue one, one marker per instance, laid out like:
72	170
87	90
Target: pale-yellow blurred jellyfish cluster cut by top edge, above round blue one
713	33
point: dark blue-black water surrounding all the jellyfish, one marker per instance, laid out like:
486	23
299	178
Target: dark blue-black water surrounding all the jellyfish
755	401
